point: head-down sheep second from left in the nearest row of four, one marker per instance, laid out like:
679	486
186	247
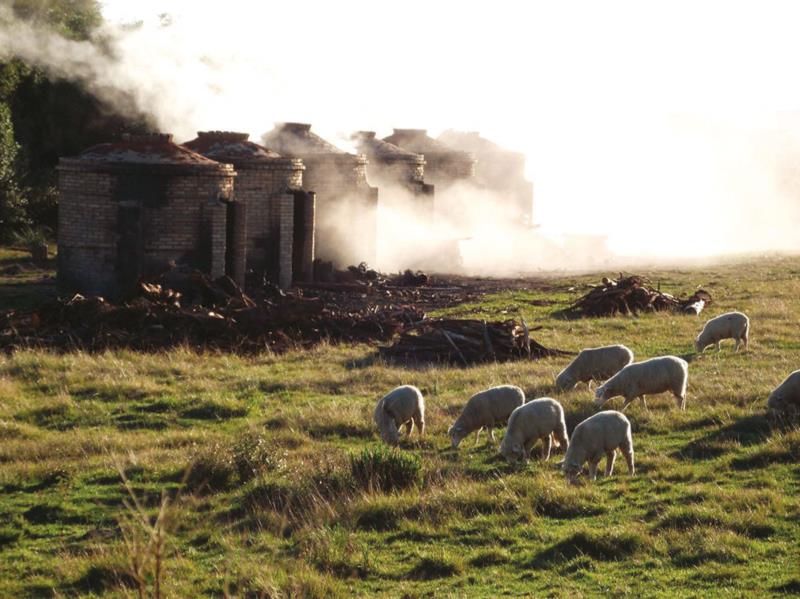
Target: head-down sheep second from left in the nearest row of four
486	409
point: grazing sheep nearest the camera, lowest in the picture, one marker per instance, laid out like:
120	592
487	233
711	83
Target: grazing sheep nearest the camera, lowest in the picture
599	434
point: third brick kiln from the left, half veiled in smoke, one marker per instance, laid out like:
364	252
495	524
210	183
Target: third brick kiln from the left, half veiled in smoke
346	205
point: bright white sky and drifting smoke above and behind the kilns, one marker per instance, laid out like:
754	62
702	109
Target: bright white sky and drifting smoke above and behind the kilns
663	147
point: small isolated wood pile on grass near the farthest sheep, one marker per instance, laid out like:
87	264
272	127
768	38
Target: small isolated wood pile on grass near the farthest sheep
634	294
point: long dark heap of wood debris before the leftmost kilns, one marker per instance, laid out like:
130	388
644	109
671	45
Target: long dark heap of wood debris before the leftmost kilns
188	308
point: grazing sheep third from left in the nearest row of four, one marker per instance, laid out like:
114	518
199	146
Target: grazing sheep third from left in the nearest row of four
538	419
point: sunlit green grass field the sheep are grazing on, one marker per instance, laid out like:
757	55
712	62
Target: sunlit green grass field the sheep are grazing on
277	502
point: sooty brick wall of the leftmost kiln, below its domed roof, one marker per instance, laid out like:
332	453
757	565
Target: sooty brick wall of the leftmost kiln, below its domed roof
184	222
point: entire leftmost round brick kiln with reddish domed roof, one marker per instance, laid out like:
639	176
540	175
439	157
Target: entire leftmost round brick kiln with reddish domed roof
131	208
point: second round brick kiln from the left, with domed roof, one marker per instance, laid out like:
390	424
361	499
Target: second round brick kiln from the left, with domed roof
280	214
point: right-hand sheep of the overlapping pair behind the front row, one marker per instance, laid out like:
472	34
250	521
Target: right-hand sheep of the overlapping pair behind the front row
667	373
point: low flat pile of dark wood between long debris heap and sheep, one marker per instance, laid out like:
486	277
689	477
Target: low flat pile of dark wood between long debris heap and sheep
467	342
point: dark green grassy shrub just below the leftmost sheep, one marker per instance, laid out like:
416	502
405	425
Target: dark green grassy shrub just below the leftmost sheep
385	469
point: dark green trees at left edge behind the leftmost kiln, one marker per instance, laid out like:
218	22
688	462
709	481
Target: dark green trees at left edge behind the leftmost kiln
42	119
